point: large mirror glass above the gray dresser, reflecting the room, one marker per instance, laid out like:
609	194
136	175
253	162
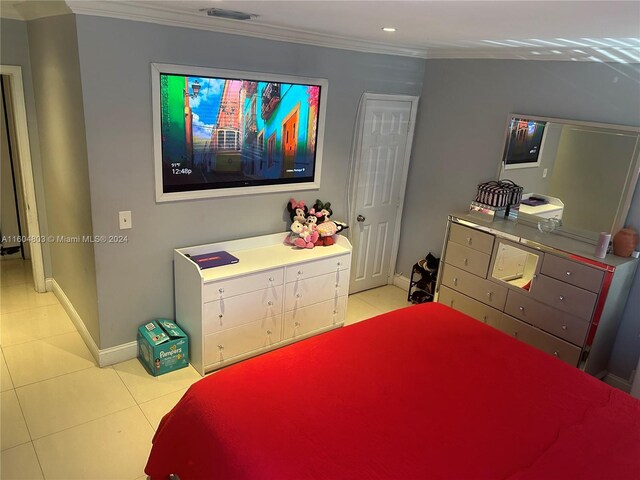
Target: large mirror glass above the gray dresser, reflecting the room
582	174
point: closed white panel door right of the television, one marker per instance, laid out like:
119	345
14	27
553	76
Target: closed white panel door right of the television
386	132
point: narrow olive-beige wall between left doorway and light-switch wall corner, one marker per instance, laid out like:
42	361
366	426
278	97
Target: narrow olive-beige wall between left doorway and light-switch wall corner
58	94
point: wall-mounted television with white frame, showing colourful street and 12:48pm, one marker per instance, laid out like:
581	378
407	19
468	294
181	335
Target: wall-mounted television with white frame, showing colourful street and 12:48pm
227	132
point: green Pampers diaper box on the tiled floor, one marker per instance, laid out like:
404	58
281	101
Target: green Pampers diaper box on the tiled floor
162	347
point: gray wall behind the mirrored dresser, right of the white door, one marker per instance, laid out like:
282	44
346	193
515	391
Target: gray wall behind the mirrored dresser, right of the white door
460	137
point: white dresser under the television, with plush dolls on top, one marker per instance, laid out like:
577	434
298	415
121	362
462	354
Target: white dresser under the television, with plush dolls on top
274	295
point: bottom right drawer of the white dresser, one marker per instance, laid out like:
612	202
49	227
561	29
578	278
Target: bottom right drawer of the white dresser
305	320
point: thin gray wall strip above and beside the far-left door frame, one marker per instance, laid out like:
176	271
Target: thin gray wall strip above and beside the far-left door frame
14	50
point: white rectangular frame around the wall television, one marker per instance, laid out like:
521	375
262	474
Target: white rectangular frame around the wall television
158	68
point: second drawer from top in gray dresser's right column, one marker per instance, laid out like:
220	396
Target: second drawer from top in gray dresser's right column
563	296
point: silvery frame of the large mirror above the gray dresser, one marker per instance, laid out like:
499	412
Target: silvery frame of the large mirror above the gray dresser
627	191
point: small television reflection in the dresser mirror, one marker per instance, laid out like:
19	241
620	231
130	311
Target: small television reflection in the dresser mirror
524	142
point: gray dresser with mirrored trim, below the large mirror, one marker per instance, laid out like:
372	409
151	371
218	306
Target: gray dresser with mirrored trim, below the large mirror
544	289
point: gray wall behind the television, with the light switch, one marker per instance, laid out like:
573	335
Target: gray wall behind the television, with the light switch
135	280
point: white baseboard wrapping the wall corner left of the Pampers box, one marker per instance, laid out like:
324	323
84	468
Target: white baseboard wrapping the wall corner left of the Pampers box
105	357
